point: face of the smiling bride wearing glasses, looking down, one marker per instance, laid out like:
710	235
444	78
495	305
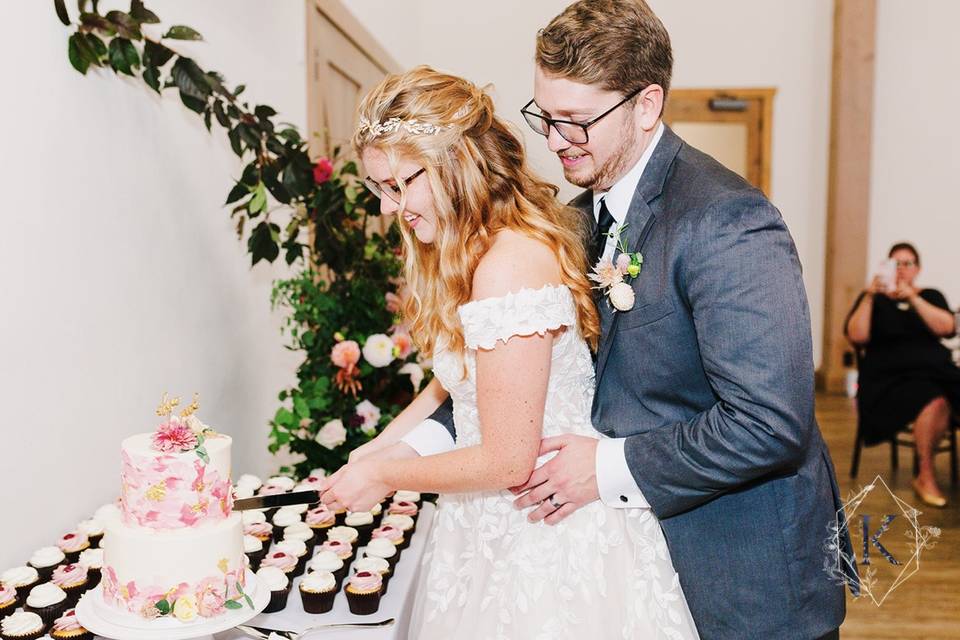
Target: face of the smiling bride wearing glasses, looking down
419	213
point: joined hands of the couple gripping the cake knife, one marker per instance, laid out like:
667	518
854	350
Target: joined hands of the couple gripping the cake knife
358	485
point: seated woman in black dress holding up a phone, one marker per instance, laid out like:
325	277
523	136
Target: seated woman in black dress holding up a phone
906	374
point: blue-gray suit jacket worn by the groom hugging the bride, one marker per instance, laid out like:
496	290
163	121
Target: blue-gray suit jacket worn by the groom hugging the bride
709	377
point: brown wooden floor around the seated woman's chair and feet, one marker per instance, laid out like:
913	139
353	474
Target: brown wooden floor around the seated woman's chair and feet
927	605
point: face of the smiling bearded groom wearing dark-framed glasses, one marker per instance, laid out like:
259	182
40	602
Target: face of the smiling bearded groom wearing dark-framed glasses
611	149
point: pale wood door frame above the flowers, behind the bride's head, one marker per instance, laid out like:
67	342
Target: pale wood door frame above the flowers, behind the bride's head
351	29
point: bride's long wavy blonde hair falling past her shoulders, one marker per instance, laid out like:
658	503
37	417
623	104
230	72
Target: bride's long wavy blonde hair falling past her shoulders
481	184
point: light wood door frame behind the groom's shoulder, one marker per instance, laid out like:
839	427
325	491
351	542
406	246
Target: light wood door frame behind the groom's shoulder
759	134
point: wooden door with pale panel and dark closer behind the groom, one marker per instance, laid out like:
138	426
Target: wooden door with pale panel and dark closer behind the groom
732	125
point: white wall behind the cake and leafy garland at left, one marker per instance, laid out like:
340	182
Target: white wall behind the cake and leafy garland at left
120	274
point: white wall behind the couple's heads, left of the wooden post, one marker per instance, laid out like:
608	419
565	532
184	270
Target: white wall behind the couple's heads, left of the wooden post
735	43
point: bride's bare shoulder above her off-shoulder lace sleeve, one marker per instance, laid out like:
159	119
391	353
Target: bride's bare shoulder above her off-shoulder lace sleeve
515	261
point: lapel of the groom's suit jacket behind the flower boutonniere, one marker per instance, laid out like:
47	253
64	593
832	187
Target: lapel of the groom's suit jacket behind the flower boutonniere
640	223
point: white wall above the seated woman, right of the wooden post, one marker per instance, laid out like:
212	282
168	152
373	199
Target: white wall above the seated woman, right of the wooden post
916	142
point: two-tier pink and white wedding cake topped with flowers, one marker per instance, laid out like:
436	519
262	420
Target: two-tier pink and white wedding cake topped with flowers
176	548
